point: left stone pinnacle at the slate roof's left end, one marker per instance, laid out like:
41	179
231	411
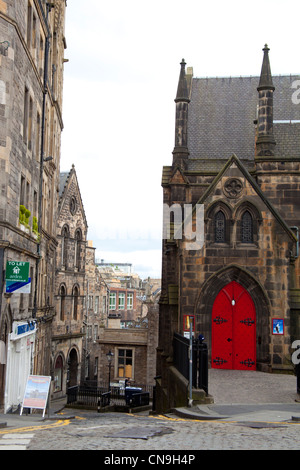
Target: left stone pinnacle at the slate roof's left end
180	152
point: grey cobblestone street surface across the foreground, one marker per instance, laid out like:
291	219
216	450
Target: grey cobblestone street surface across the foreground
115	431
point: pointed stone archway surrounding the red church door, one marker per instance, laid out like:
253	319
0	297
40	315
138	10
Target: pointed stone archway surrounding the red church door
206	299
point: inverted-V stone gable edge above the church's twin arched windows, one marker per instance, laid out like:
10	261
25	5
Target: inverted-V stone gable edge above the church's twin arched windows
255	186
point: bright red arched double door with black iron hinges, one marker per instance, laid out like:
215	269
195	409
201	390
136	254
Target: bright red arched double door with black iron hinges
233	329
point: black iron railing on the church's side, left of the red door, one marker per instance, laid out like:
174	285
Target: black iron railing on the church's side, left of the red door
181	357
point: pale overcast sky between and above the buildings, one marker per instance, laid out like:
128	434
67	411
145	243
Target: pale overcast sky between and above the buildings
119	89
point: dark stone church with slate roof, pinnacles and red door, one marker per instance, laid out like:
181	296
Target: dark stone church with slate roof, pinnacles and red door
236	156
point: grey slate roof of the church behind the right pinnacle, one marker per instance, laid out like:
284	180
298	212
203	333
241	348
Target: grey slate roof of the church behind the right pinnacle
222	111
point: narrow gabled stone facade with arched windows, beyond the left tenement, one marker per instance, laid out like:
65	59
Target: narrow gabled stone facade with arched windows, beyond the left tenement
70	287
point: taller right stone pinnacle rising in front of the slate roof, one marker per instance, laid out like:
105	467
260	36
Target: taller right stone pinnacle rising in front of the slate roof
265	141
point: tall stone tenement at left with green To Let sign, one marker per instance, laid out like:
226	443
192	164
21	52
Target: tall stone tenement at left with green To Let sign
32	44
